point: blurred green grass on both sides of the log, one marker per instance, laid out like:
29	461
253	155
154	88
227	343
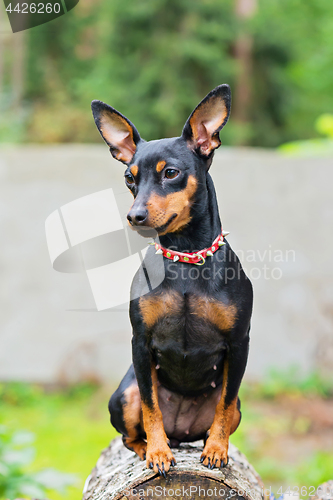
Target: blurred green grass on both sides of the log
72	427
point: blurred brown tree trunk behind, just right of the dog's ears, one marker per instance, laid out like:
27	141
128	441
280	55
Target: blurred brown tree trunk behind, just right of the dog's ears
244	9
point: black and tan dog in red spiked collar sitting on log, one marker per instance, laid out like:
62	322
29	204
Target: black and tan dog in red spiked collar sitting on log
190	336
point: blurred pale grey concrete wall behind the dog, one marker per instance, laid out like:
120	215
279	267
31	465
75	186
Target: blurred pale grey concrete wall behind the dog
279	211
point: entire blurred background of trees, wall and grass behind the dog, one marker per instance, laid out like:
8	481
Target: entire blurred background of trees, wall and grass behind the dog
154	60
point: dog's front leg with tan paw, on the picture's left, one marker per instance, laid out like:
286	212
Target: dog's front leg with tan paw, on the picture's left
159	456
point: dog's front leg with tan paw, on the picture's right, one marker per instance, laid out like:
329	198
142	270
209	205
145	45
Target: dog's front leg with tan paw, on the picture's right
227	416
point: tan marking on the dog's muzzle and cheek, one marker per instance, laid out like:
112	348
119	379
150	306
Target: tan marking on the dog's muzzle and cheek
161	208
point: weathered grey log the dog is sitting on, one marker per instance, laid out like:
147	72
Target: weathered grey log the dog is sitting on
120	474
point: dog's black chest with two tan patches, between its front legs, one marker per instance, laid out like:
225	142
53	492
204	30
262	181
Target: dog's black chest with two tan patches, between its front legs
187	335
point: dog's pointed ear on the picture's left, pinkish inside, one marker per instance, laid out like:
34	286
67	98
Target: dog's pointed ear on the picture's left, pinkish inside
117	131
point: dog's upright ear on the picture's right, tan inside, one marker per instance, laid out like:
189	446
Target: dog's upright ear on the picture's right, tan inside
201	131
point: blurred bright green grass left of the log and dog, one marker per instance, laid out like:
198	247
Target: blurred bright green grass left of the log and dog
71	428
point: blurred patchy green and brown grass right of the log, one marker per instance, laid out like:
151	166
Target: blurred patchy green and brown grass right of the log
259	433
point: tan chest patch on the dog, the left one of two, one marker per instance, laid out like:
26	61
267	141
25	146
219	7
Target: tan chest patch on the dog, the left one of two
154	307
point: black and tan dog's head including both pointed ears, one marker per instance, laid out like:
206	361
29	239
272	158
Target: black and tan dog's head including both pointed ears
165	176
